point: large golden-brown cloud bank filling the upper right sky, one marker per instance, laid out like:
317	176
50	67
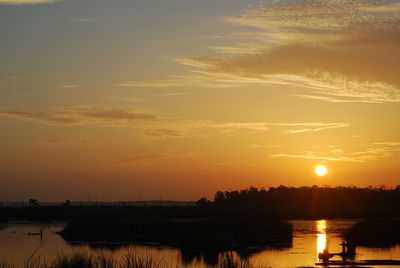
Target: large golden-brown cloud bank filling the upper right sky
342	50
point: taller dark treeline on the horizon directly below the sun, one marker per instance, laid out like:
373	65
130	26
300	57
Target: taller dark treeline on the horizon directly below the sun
309	202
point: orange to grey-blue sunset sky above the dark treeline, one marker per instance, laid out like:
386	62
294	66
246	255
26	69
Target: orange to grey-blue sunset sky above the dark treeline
177	99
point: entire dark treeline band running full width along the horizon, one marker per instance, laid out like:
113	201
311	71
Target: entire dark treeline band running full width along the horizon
283	202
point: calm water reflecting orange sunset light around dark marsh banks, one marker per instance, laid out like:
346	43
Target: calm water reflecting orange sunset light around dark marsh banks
310	237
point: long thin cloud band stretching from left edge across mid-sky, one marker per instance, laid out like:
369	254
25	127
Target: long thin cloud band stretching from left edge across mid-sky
154	127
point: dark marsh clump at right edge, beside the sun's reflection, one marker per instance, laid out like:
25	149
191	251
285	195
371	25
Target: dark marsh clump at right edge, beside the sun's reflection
374	233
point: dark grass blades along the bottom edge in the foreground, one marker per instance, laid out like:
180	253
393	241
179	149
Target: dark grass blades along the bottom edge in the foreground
132	259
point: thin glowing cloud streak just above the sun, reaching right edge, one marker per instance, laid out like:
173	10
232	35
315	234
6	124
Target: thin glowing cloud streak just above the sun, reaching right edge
374	151
